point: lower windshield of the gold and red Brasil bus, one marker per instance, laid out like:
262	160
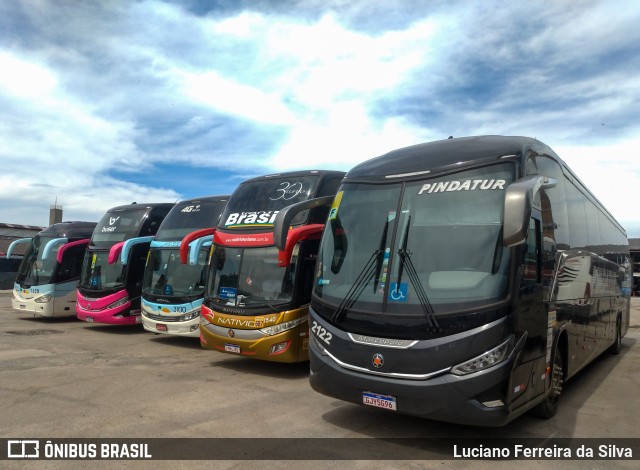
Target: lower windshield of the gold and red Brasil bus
248	277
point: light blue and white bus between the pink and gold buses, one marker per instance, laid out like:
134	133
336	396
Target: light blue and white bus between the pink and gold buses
172	292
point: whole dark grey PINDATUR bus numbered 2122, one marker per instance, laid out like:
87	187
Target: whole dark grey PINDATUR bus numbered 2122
464	280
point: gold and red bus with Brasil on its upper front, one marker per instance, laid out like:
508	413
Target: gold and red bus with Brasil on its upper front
256	303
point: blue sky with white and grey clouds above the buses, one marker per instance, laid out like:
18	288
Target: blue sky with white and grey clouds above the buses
107	102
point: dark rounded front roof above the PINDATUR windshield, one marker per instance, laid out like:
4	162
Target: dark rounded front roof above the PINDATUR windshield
441	155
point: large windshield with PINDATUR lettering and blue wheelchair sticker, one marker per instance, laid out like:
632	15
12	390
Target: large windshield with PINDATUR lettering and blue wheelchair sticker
443	251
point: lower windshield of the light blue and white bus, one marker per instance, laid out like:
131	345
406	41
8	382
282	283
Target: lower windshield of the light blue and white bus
166	276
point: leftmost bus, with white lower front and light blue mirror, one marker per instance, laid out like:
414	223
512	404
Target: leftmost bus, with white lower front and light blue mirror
47	278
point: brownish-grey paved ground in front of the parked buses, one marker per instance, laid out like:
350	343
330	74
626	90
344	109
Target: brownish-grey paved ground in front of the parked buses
62	378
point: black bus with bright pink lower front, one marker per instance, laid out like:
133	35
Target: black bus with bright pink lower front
111	279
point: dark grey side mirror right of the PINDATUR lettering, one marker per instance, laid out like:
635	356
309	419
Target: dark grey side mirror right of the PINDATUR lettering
517	207
